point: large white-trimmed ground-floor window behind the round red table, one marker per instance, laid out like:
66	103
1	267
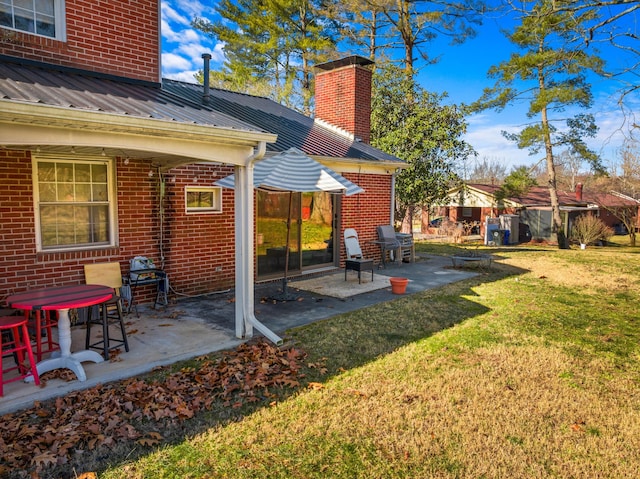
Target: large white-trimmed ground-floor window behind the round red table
74	203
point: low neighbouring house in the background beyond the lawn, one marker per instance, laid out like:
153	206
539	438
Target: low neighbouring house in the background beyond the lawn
476	202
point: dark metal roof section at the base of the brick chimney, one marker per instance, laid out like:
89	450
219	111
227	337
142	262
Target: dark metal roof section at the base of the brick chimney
293	128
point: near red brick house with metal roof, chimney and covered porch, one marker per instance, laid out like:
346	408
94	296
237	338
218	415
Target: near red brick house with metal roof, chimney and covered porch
102	160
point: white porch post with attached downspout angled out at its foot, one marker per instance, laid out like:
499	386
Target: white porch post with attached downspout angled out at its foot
244	231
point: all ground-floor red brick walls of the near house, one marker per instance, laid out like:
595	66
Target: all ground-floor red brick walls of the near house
199	250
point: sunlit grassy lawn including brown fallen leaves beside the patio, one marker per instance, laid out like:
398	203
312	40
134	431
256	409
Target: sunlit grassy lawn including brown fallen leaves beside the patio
531	369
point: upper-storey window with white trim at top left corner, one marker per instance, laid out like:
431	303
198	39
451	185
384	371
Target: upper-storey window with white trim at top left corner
40	17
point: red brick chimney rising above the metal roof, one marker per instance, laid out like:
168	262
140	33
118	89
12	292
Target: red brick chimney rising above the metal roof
343	95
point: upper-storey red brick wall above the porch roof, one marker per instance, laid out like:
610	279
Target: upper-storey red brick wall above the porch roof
119	37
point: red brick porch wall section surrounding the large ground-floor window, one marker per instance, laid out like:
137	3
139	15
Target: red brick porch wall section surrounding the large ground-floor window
22	268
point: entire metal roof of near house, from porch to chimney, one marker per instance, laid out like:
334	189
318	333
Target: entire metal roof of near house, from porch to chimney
51	85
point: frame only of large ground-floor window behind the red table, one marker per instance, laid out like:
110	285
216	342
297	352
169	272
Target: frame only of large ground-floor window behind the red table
112	203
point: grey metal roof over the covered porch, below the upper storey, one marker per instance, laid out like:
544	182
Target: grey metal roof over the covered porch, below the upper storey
81	90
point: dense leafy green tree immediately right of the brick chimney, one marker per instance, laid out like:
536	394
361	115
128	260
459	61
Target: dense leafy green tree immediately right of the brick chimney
414	125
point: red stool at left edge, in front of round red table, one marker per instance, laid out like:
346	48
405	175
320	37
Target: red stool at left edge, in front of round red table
14	342
